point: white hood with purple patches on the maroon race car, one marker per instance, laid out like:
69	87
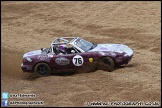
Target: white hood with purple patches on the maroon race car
120	48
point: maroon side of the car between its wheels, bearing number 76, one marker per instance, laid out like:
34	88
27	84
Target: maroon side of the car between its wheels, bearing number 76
74	61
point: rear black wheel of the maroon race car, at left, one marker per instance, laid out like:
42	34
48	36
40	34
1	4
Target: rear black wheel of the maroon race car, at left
42	69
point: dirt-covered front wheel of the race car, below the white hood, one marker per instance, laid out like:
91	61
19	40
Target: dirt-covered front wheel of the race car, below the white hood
107	64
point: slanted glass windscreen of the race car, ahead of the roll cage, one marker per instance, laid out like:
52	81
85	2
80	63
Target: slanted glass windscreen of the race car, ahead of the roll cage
83	44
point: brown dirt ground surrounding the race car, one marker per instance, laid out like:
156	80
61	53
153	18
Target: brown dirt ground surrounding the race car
28	26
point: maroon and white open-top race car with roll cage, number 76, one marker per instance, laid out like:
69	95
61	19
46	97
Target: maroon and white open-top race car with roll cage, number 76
74	53
